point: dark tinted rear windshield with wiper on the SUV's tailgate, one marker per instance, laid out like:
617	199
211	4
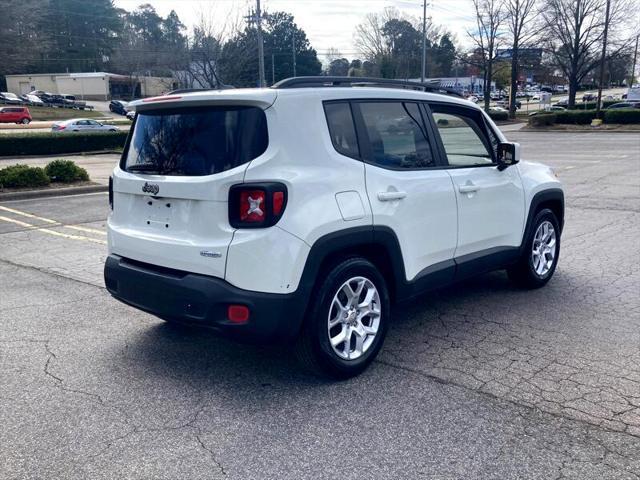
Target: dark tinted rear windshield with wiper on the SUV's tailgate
195	141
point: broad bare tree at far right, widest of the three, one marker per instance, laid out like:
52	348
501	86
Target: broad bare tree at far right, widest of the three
576	29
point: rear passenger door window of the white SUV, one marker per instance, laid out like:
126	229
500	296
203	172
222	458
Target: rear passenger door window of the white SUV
397	135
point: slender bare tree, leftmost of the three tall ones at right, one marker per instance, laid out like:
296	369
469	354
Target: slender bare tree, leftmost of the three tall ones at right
490	15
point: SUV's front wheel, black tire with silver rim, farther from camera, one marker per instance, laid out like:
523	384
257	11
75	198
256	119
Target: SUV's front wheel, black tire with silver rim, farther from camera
529	271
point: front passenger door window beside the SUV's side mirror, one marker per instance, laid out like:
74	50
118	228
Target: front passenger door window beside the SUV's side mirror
463	139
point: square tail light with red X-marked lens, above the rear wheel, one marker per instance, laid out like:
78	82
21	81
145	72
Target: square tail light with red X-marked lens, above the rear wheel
256	205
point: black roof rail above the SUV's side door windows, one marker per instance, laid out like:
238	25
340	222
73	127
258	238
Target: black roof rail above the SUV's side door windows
319	81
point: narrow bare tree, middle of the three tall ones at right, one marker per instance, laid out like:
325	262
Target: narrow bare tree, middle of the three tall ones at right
521	16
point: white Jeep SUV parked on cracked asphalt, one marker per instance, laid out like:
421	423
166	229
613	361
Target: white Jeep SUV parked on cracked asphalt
300	213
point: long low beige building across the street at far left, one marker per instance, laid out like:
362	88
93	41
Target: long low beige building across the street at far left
92	85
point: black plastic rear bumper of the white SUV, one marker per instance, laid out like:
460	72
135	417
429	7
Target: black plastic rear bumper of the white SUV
202	300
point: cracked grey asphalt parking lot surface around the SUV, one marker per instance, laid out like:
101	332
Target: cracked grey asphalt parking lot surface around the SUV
476	381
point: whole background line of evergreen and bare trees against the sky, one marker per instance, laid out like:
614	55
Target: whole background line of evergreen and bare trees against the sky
51	36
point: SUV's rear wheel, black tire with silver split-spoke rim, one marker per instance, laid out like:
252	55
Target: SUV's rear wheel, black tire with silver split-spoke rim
365	331
